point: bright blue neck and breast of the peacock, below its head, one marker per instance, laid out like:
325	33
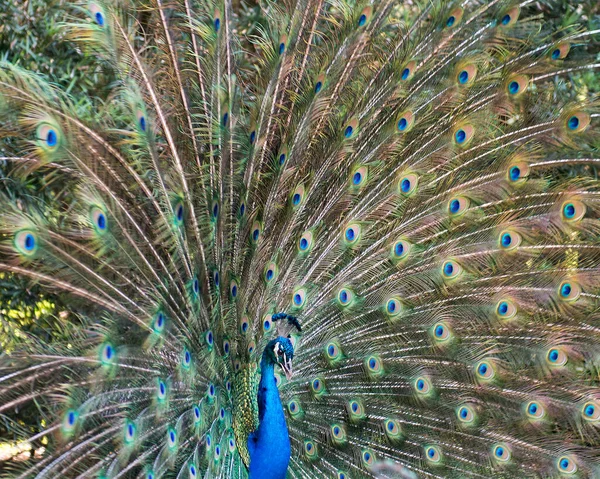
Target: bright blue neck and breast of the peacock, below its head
269	445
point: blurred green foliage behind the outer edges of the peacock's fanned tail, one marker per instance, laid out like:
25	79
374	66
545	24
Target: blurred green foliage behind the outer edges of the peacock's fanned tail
31	36
